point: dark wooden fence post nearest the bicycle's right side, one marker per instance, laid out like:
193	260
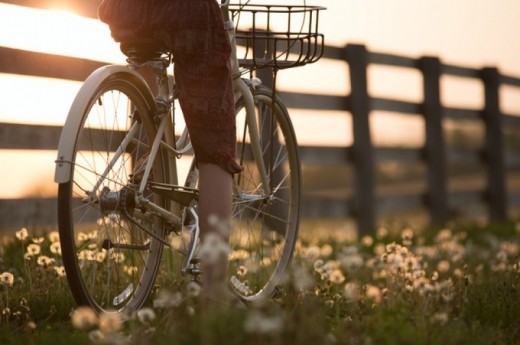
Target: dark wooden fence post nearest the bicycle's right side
363	155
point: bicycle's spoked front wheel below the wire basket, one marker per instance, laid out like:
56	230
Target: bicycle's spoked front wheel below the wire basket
265	220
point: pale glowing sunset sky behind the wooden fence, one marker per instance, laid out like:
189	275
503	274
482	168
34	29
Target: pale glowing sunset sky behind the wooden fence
473	33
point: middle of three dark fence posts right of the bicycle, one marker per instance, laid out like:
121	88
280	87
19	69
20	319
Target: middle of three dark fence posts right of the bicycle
434	142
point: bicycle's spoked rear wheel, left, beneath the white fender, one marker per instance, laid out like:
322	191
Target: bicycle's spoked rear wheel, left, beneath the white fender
111	249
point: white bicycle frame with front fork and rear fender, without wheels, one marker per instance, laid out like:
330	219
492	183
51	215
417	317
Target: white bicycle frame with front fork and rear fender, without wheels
165	137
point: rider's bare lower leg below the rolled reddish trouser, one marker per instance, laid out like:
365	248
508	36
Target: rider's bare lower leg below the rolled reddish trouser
215	187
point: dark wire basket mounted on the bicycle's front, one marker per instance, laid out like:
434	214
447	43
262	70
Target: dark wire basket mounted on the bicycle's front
277	36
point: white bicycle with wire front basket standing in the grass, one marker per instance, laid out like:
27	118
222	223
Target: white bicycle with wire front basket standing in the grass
119	199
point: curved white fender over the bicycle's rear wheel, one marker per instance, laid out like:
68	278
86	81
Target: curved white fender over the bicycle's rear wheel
74	118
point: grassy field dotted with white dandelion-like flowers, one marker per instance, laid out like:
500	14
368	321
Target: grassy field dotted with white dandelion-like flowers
455	285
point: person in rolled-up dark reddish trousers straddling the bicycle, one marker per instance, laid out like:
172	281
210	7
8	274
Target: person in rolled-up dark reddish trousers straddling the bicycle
195	34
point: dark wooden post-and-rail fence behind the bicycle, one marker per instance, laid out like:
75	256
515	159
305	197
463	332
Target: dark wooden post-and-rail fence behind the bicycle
364	202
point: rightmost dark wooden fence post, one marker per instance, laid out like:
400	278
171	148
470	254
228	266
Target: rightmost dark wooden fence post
493	150
